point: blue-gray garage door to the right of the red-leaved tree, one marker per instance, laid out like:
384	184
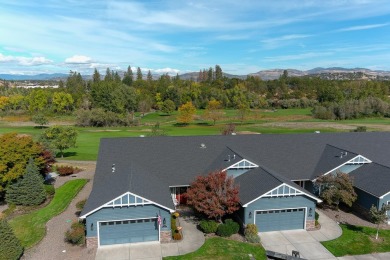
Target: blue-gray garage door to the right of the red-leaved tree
284	219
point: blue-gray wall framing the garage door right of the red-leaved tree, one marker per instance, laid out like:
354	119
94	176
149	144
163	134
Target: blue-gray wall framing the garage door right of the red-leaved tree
300	201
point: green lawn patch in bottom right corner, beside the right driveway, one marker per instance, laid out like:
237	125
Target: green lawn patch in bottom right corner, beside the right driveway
357	240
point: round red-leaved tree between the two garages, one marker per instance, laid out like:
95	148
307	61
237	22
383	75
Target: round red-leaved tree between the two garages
215	195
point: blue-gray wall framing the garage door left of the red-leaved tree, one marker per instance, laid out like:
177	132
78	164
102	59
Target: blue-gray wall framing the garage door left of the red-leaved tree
123	213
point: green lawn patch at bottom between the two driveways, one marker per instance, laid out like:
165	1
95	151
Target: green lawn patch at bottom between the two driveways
220	248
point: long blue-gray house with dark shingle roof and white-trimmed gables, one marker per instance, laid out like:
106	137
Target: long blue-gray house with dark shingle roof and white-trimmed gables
140	181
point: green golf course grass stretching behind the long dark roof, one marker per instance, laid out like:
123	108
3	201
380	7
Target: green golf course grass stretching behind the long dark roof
258	121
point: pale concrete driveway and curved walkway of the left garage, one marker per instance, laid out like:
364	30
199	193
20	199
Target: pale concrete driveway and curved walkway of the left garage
192	240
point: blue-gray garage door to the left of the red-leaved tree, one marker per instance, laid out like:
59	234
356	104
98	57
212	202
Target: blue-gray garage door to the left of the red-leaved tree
128	231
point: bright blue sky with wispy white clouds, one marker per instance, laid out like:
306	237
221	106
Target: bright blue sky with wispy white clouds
243	36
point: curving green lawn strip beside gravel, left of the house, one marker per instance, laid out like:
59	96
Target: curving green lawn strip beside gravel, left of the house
31	228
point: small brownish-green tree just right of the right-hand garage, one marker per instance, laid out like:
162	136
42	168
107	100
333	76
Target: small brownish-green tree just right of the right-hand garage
336	188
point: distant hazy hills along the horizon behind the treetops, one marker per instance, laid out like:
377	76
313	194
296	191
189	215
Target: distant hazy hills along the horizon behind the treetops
334	73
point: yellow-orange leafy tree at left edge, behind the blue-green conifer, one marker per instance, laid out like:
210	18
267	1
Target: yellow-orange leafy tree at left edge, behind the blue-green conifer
15	152
